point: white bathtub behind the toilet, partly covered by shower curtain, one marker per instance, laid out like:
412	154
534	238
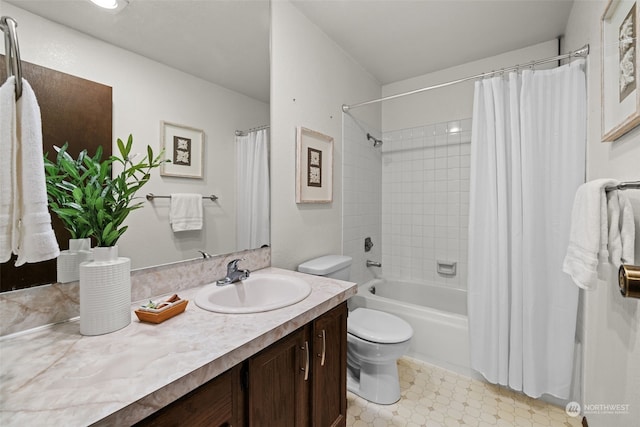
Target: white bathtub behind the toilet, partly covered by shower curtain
437	314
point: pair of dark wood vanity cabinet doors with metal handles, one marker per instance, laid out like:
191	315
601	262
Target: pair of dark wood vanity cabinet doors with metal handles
301	380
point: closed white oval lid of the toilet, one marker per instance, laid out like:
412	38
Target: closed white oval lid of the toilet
378	326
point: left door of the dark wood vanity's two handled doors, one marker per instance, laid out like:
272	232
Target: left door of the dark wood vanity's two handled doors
278	383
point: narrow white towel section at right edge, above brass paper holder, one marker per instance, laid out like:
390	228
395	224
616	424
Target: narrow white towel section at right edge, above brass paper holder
621	229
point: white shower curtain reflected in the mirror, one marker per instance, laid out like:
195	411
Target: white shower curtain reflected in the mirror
252	170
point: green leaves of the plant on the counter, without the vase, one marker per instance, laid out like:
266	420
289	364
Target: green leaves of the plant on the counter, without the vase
85	196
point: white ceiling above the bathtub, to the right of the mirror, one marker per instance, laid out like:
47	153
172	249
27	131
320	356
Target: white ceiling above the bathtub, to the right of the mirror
398	39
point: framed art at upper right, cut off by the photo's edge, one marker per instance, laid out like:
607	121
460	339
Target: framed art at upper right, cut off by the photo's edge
620	88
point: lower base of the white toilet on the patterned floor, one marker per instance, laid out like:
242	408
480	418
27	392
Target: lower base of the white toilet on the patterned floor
377	383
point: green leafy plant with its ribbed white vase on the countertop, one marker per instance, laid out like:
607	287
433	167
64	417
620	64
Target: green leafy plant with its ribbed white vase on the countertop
91	194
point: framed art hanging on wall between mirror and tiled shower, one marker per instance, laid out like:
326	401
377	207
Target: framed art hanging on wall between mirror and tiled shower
314	167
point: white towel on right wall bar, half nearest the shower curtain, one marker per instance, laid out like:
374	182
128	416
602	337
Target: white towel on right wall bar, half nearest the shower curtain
588	236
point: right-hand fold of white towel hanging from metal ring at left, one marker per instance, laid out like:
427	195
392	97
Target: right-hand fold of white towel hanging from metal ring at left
36	241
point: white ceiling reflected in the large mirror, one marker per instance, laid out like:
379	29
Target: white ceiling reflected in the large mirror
223	41
